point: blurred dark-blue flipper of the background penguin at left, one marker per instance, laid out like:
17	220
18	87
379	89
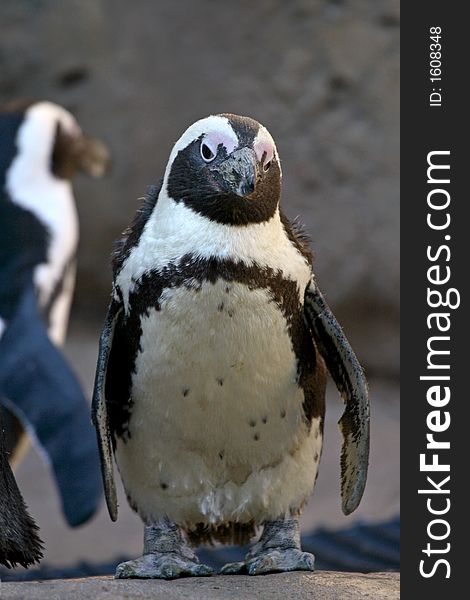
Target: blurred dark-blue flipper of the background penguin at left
40	388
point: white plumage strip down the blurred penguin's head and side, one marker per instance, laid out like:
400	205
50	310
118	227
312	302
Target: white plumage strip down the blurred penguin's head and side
30	177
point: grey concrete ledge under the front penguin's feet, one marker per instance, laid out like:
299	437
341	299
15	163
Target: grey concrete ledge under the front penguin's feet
322	585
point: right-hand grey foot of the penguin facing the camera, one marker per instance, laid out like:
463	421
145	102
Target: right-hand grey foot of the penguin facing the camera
277	550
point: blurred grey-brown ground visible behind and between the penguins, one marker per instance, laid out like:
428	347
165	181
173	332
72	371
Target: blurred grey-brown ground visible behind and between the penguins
101	540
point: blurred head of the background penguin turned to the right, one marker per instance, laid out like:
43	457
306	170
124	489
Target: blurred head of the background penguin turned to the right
53	141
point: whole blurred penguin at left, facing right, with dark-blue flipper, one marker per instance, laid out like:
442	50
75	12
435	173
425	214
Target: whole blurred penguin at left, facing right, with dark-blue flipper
41	148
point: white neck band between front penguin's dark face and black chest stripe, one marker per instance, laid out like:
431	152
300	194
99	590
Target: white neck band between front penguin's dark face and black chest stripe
174	233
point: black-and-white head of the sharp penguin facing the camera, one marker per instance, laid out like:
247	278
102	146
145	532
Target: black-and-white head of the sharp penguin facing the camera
226	168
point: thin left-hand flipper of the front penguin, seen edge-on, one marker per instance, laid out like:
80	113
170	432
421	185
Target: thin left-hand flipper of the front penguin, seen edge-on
99	409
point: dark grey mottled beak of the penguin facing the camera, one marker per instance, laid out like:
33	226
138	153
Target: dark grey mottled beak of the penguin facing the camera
238	174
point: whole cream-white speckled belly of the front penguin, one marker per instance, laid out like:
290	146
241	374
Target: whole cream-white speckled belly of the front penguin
217	432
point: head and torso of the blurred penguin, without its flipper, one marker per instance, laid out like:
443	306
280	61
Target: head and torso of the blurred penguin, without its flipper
38	209
